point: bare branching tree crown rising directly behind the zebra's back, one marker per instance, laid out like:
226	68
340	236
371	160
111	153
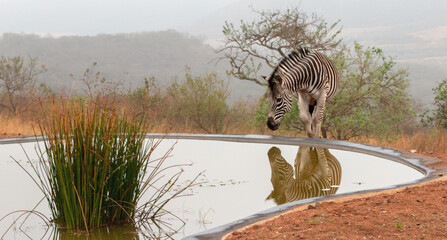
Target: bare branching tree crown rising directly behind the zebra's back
271	37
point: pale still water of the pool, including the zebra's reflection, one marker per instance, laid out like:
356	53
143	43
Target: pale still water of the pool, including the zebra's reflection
237	179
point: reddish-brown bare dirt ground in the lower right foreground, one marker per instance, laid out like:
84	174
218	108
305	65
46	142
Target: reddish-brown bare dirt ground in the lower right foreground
416	212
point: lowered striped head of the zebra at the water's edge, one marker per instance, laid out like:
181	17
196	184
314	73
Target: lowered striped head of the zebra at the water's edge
280	101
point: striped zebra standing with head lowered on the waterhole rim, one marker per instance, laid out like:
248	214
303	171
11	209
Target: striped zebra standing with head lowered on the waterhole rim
312	79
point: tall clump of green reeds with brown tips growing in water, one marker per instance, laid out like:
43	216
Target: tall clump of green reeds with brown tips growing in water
94	166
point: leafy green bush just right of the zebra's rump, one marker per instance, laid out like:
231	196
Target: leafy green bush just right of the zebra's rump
372	98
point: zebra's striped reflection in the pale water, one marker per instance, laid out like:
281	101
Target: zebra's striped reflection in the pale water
316	172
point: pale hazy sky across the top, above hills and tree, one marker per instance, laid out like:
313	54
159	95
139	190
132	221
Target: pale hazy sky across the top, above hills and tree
87	17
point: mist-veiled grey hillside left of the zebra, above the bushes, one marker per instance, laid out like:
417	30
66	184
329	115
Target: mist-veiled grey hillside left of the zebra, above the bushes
129	57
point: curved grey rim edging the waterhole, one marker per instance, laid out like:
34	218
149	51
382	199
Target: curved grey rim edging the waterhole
415	161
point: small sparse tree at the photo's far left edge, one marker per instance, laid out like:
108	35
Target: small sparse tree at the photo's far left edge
17	81
